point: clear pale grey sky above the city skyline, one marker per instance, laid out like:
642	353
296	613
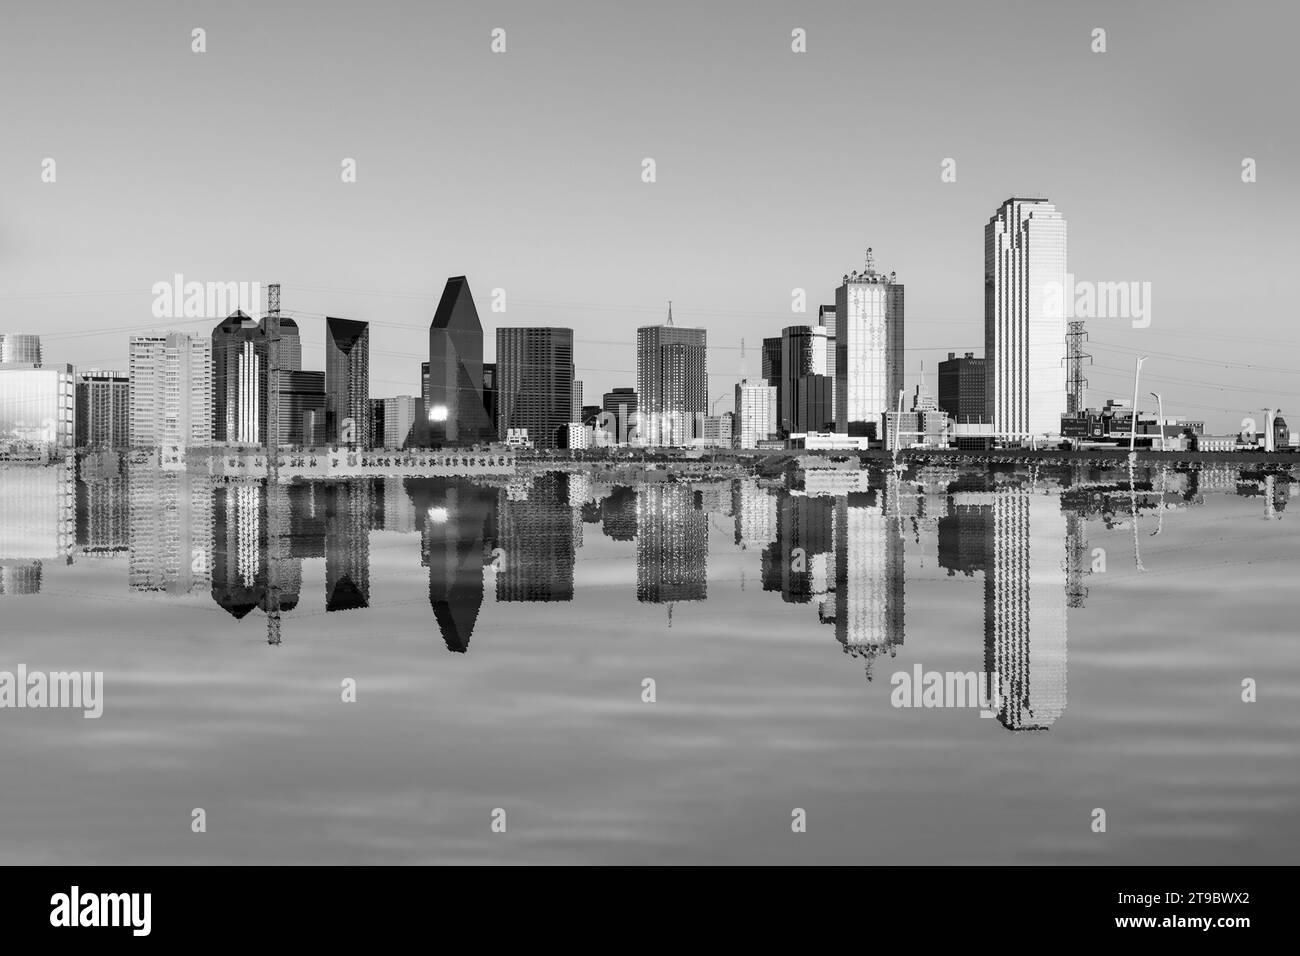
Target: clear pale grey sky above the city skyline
774	172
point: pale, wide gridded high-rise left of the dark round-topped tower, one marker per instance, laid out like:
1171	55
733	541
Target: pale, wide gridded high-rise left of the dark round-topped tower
171	391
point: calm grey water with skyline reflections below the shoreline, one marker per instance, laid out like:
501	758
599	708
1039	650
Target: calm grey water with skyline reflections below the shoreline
500	635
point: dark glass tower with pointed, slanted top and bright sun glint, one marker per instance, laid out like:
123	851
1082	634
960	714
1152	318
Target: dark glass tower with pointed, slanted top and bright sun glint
454	409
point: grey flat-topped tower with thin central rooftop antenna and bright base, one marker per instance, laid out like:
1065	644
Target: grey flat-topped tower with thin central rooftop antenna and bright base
673	383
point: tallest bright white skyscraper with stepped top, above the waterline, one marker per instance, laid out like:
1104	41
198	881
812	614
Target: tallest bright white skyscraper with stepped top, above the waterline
1025	269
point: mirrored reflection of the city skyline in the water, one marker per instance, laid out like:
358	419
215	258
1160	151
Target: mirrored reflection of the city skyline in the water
838	542
